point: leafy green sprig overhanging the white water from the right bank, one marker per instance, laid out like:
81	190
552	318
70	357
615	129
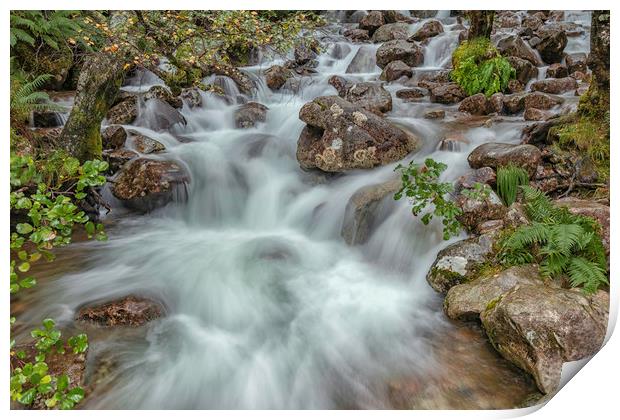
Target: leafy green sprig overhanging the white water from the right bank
420	183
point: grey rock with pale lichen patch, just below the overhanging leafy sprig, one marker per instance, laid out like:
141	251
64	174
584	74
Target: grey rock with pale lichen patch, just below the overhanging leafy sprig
459	262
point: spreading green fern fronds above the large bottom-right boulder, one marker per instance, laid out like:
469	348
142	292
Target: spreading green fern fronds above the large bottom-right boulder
561	242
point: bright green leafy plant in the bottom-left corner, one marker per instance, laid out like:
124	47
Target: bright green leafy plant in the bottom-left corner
31	379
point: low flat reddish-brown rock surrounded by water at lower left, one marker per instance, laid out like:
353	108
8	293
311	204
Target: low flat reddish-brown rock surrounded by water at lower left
128	311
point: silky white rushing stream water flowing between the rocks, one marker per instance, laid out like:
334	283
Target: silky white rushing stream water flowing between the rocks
267	307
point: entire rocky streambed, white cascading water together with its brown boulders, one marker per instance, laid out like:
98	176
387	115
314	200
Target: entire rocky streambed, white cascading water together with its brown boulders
257	258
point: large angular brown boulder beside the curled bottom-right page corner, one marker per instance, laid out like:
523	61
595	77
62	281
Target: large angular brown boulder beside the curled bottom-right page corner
538	328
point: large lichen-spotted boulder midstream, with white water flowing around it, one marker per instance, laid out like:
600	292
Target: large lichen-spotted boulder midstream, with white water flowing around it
341	136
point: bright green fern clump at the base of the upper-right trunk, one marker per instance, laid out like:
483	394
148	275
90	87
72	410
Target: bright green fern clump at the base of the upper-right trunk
479	68
